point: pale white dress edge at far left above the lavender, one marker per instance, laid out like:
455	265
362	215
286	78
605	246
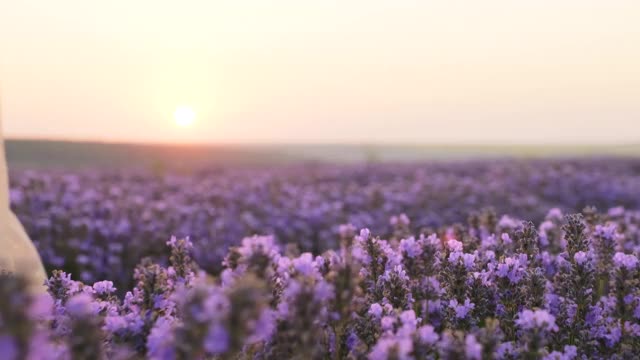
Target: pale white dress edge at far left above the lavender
17	253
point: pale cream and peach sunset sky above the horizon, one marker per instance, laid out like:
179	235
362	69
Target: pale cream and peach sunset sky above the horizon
481	72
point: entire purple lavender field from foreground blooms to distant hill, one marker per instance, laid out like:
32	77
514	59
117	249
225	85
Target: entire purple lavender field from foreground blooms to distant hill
486	259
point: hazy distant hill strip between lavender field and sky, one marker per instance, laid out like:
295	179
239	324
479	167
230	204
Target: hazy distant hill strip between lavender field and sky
66	154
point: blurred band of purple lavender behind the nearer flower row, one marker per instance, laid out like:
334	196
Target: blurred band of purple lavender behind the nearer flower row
99	224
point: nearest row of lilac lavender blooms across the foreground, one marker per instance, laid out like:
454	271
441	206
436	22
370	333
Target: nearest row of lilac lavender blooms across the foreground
485	293
